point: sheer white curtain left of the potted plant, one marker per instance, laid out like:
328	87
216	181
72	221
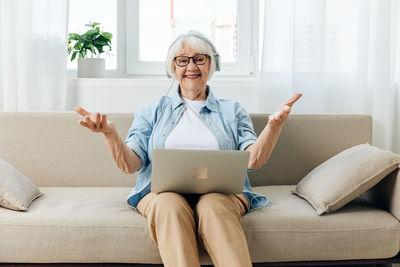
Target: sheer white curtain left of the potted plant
33	45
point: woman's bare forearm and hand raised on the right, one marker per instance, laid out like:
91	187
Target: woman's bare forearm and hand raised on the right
265	143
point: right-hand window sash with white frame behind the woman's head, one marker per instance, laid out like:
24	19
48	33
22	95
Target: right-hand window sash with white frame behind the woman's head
228	23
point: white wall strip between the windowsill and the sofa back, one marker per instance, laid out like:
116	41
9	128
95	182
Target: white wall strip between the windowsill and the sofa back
127	95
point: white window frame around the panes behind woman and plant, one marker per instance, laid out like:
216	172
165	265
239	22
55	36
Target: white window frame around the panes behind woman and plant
128	65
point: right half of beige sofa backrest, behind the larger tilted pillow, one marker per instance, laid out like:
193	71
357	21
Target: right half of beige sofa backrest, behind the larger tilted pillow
305	142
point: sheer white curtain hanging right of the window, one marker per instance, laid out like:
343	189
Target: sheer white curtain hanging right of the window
343	55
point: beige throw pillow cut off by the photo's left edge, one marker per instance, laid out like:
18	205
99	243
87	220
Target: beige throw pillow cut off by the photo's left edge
16	190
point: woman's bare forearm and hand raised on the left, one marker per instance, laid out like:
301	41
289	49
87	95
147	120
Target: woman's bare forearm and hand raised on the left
123	156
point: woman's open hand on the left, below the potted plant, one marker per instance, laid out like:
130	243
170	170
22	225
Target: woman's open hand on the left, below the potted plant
95	122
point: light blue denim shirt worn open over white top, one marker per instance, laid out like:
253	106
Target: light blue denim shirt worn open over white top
226	119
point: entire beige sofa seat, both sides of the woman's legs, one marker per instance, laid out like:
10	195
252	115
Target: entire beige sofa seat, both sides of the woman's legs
79	224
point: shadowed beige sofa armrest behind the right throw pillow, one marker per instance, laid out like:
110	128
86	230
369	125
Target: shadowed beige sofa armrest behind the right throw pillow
386	194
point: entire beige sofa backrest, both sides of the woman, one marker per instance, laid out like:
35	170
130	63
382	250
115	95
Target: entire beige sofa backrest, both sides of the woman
52	149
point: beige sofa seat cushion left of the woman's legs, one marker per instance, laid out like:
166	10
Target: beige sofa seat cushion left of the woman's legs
77	224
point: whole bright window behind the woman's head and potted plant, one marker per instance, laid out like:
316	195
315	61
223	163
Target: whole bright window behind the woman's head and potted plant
143	30
